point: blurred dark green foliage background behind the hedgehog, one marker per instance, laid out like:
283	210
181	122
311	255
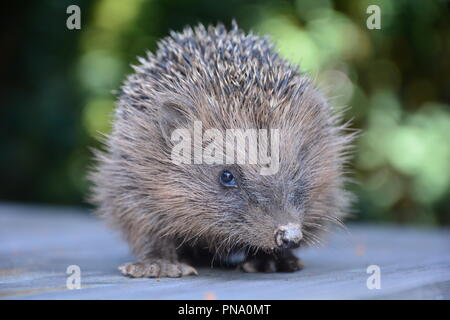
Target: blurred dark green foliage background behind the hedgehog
56	88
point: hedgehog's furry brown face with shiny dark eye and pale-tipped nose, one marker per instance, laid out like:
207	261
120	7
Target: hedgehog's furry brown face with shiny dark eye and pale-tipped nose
234	206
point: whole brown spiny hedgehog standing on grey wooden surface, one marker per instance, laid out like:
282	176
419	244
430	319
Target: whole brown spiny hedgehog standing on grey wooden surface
175	215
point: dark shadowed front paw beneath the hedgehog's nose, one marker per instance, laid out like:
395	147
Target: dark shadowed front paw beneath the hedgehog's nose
272	263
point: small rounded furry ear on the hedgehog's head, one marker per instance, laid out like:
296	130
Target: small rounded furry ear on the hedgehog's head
172	116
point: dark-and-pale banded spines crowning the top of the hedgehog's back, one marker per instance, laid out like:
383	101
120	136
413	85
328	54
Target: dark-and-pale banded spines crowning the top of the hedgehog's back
223	64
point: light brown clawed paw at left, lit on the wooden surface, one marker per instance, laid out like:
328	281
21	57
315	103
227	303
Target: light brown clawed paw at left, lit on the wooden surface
157	269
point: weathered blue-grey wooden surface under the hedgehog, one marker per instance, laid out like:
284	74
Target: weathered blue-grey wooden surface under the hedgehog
37	244
